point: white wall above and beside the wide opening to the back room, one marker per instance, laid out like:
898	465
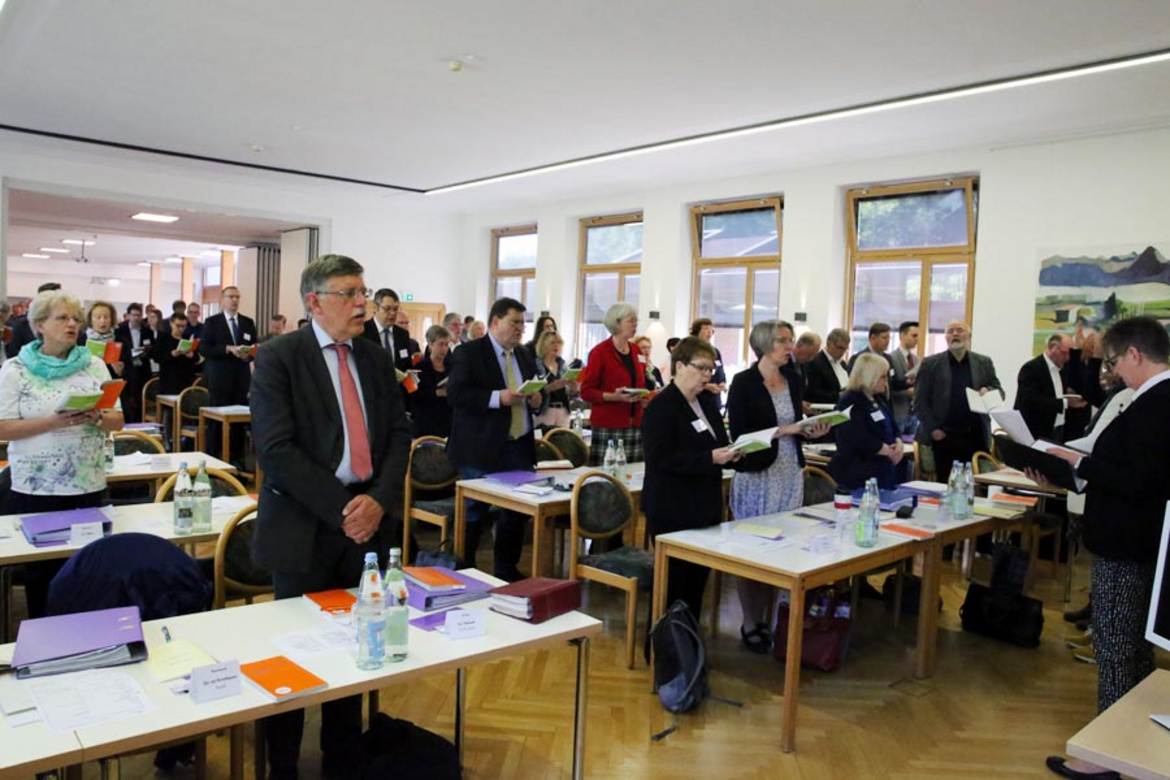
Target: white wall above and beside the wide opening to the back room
402	240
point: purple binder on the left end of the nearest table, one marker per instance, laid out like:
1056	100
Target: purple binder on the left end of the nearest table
64	637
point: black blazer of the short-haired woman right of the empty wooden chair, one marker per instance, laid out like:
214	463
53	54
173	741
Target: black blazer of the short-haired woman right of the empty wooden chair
683	488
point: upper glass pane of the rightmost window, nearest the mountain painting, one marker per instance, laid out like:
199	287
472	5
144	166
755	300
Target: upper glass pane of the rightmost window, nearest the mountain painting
928	219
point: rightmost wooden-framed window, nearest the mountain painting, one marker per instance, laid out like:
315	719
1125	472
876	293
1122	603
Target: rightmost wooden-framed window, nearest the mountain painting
912	258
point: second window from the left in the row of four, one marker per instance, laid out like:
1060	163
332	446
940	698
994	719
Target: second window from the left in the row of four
611	266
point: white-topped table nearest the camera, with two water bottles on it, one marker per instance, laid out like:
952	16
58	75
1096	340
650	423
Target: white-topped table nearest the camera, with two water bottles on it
243	633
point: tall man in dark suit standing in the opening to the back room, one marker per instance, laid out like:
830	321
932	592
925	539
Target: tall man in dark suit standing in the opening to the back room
229	346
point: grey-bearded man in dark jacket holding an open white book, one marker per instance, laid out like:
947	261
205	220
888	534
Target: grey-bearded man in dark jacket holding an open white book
946	422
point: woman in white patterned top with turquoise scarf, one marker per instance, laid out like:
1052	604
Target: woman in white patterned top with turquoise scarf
58	459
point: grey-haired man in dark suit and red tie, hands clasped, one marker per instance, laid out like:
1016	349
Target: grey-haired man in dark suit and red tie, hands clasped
334	441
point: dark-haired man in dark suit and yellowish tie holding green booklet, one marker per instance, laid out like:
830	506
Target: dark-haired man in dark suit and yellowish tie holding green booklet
492	424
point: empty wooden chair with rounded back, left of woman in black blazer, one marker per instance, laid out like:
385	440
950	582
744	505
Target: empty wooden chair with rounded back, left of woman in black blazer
602	508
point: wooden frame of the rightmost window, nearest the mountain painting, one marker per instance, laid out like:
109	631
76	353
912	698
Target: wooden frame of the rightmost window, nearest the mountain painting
927	257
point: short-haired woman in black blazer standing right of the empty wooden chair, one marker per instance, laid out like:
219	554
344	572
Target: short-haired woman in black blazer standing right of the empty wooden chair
686	452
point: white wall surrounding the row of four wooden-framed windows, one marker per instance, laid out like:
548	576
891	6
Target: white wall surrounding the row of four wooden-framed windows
1092	191
